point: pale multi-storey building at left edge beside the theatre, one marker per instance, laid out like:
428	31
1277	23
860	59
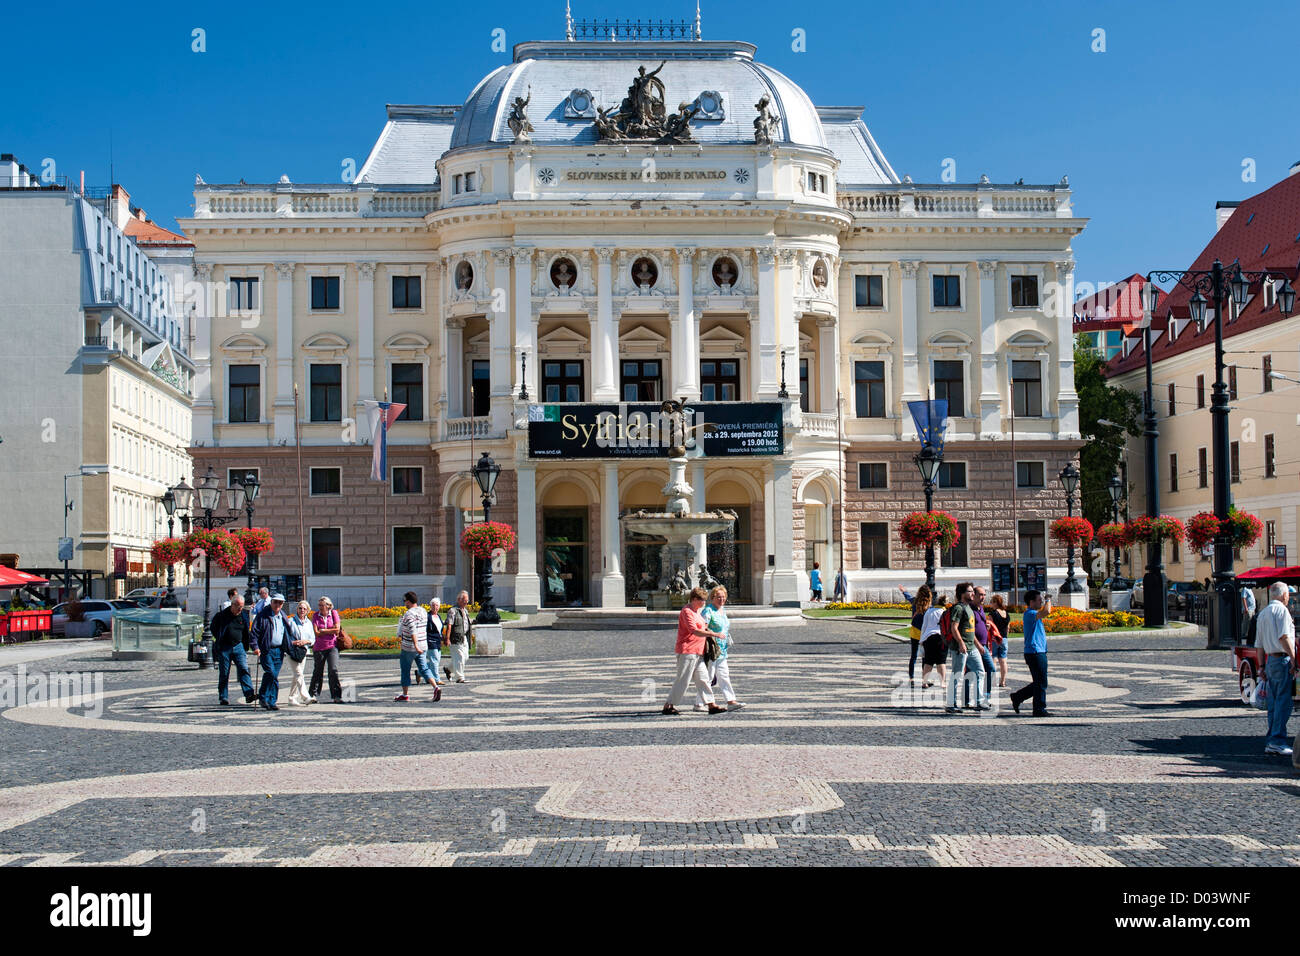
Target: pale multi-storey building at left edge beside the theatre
97	375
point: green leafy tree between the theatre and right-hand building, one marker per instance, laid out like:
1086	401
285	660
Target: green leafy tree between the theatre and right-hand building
1103	448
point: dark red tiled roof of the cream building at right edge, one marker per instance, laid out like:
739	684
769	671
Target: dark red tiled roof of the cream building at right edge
1264	236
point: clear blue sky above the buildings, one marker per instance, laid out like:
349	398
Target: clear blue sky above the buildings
1007	89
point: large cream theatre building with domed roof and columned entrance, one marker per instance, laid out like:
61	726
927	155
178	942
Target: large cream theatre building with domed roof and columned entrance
544	240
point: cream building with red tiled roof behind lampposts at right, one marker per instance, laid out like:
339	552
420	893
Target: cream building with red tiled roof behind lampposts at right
1262	233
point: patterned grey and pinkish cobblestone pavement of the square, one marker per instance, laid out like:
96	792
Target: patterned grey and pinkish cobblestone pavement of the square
561	756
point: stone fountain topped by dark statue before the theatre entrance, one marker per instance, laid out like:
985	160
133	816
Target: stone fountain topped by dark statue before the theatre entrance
677	524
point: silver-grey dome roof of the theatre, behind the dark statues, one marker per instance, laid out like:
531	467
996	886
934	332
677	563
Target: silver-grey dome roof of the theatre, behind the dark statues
548	73
